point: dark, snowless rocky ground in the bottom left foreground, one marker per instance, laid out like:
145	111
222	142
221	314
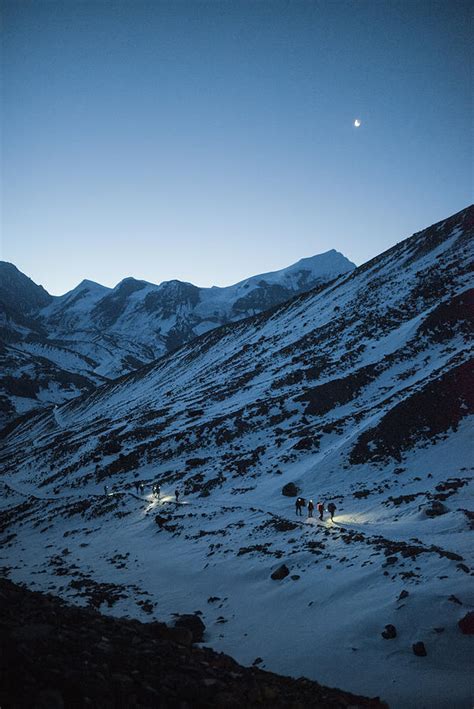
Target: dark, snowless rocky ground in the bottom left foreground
60	657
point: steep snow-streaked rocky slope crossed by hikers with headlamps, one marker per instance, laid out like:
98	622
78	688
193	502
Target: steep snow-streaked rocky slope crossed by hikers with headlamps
359	393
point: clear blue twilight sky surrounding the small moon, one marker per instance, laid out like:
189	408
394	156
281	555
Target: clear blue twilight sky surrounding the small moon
210	141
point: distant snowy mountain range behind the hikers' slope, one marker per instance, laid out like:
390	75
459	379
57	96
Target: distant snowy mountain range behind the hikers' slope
54	348
